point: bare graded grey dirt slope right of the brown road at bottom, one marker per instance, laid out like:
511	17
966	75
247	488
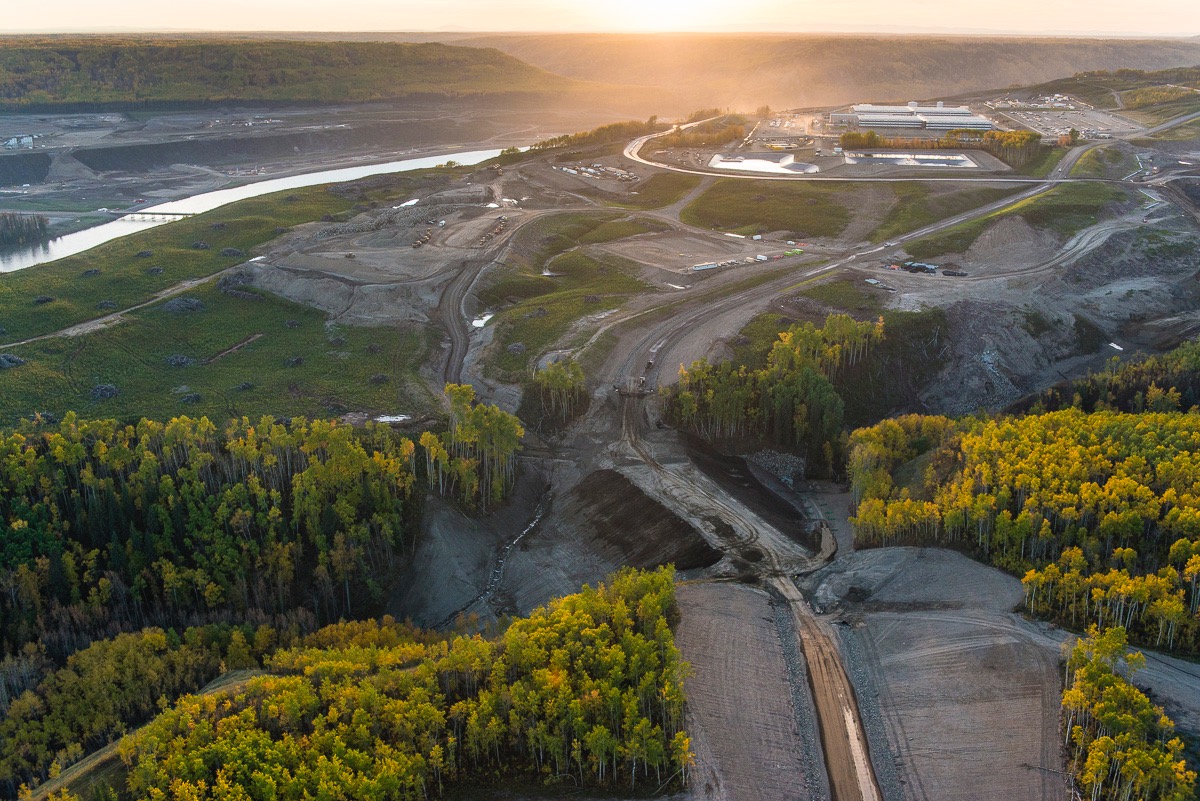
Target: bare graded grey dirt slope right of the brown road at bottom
959	701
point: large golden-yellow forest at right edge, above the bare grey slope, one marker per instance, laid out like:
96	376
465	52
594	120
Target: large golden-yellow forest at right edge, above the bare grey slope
1099	511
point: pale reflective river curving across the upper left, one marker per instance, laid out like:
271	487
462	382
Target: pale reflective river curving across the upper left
64	246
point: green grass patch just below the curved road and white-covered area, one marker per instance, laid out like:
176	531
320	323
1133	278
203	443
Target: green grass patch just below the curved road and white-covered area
748	207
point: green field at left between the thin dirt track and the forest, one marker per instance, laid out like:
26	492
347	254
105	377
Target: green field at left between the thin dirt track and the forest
233	342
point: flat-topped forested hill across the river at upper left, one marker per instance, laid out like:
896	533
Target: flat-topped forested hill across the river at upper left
116	74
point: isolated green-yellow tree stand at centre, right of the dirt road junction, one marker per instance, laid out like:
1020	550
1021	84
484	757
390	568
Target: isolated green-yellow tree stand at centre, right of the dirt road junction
790	402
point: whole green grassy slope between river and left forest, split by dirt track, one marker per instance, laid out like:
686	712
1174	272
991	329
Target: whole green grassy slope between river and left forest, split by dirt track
62	372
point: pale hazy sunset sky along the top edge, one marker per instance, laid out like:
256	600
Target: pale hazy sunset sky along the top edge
1105	17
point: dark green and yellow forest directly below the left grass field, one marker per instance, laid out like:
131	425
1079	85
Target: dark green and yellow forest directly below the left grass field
111	527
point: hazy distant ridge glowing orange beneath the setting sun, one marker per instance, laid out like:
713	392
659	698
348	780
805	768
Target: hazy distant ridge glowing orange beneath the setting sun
789	70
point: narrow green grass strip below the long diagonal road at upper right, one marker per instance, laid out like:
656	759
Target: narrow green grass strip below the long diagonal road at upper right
1065	210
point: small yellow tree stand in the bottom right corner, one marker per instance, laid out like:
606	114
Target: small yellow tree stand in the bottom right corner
1121	745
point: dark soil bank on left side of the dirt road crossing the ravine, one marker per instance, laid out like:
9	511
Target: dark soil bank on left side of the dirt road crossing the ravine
622	521
